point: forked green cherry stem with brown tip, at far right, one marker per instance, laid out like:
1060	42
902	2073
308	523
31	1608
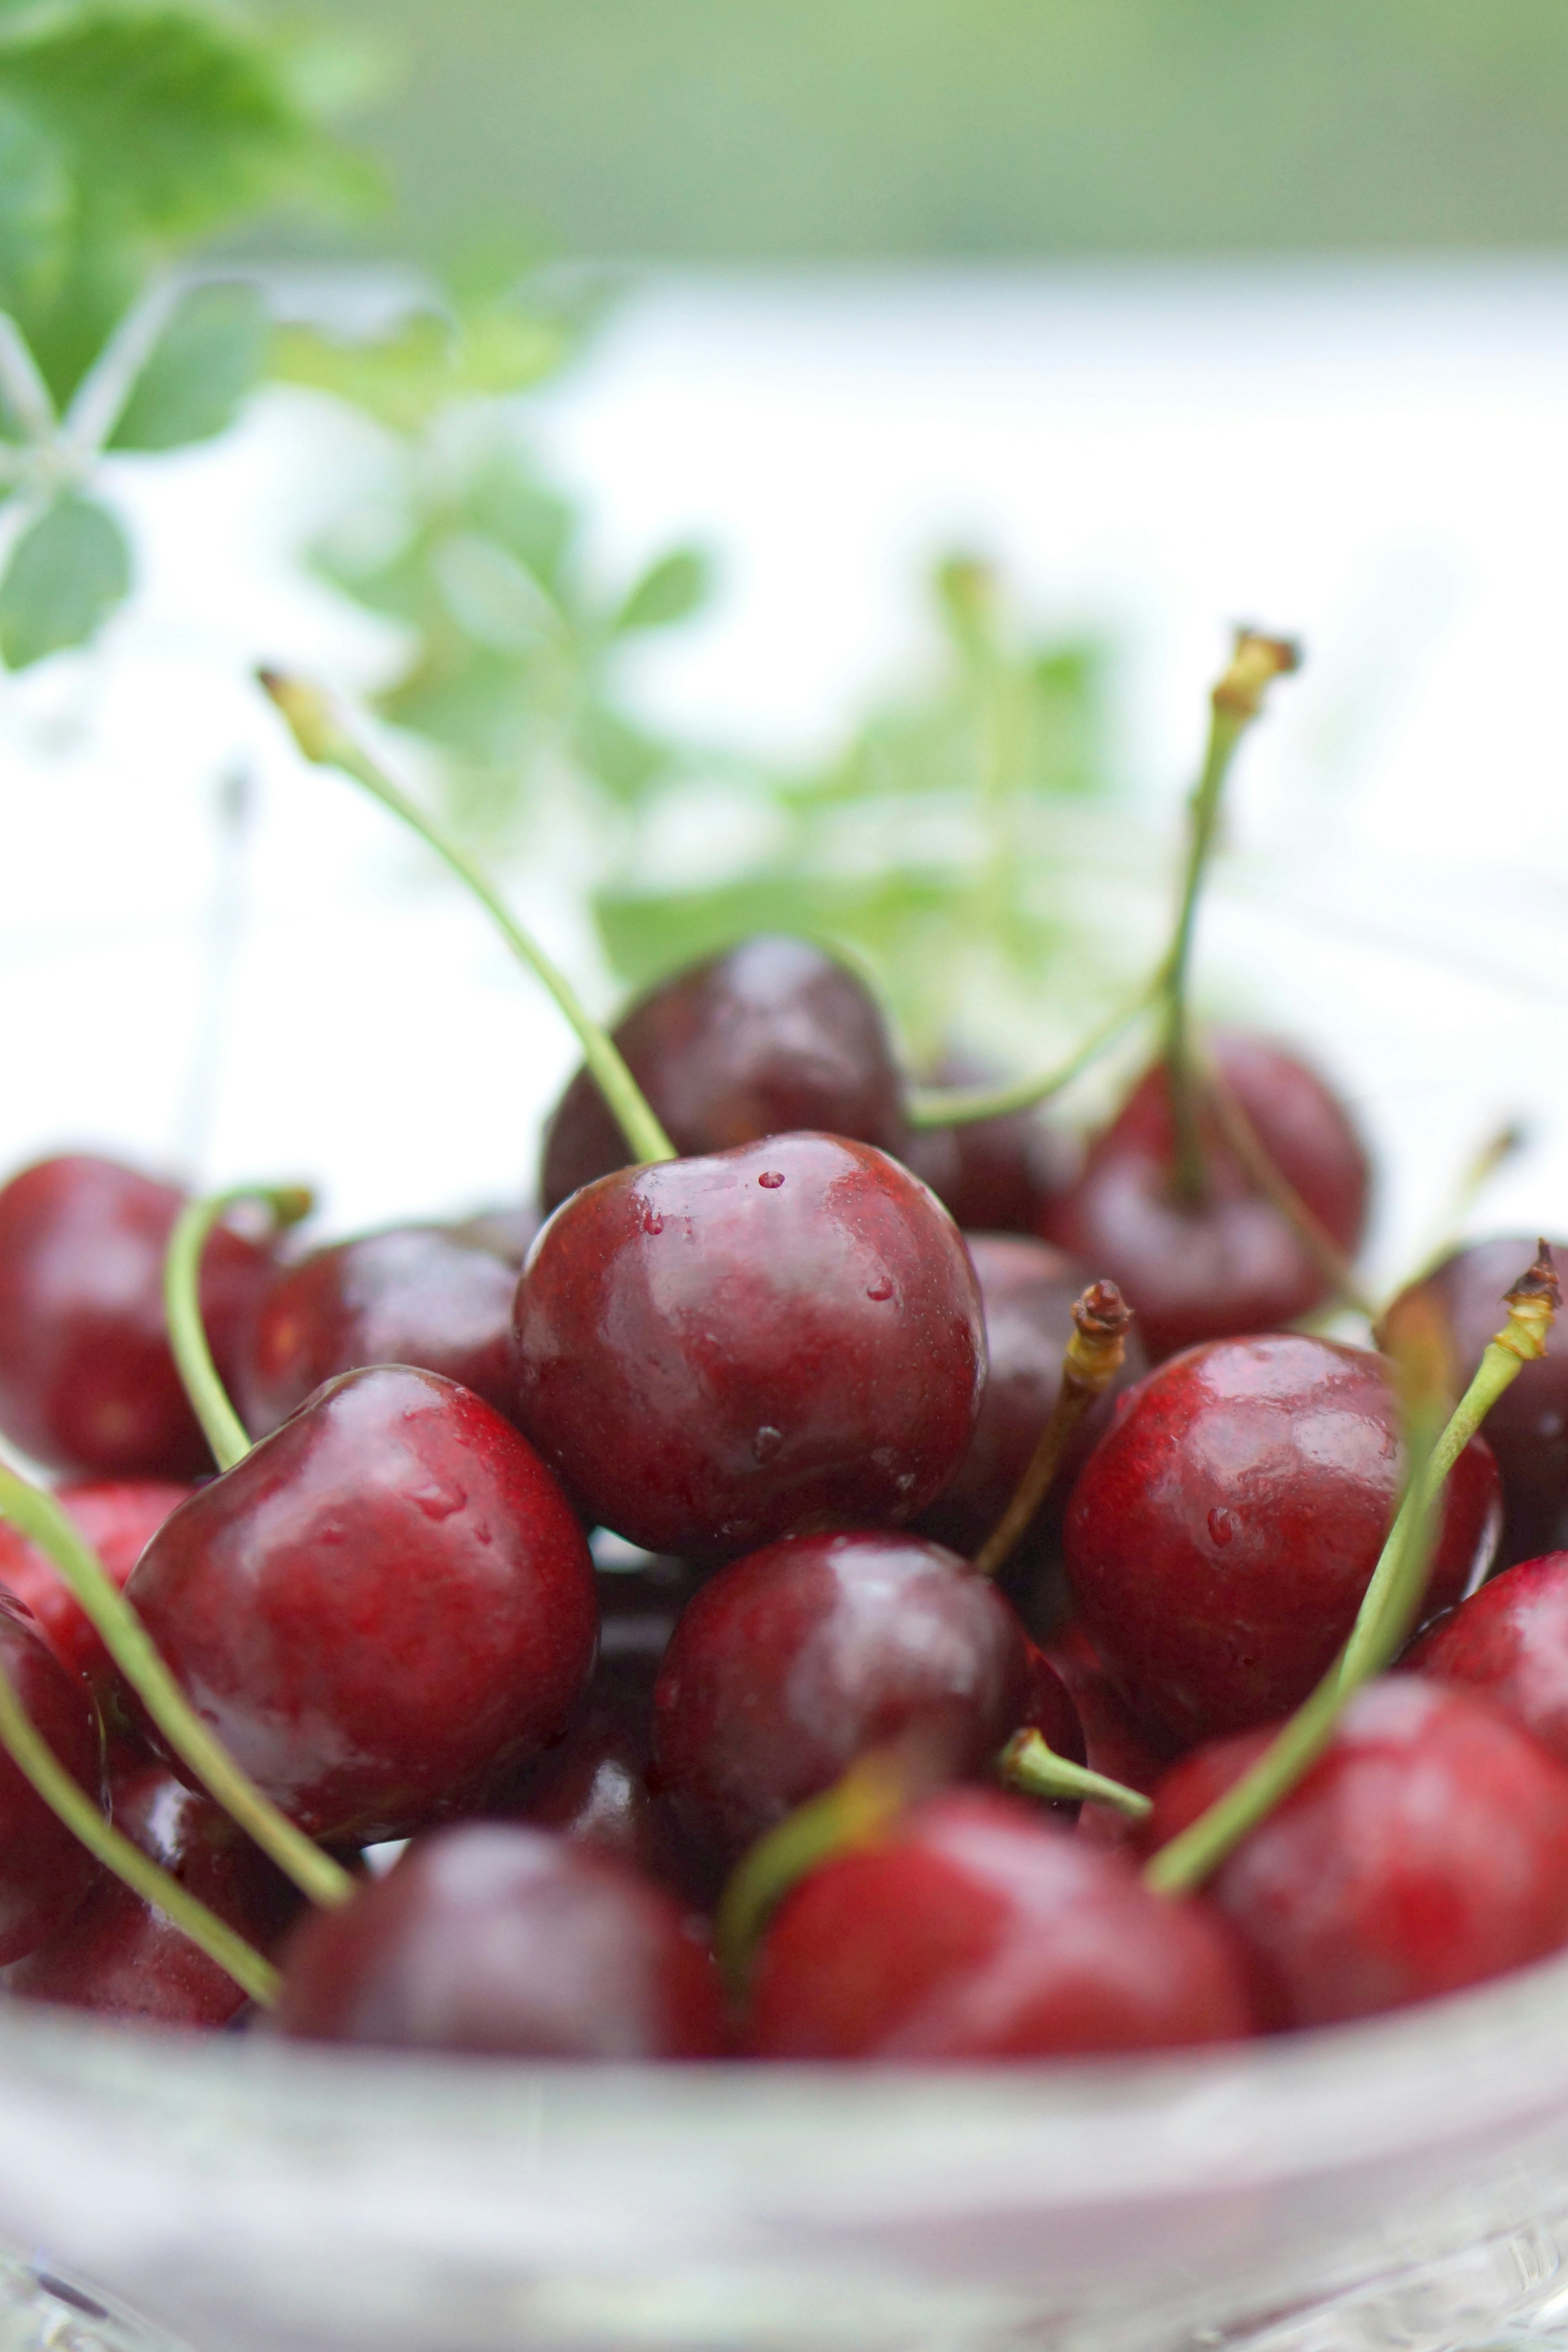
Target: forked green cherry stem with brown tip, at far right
1393	1598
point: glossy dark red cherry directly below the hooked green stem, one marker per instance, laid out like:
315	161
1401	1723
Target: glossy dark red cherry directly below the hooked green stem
387	1605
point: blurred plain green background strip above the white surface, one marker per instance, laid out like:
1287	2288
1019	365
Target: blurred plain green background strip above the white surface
925	128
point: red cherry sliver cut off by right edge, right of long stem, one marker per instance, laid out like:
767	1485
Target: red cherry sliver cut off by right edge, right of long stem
1510	1648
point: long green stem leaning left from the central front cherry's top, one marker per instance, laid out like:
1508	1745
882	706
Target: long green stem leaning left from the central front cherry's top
323	740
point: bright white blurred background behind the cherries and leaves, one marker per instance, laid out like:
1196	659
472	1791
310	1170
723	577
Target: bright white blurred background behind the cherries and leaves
1362	455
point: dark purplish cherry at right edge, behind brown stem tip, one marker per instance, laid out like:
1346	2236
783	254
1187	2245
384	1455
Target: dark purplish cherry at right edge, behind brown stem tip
1529	1424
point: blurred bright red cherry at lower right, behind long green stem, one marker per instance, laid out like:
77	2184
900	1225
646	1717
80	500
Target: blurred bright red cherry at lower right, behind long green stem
1423	1852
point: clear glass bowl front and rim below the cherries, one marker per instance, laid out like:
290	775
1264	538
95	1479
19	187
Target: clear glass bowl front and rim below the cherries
1391	2184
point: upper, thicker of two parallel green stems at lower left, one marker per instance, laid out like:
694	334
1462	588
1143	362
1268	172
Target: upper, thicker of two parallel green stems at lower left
130	1645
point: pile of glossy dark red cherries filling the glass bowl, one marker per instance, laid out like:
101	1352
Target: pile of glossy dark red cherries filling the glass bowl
591	1570
